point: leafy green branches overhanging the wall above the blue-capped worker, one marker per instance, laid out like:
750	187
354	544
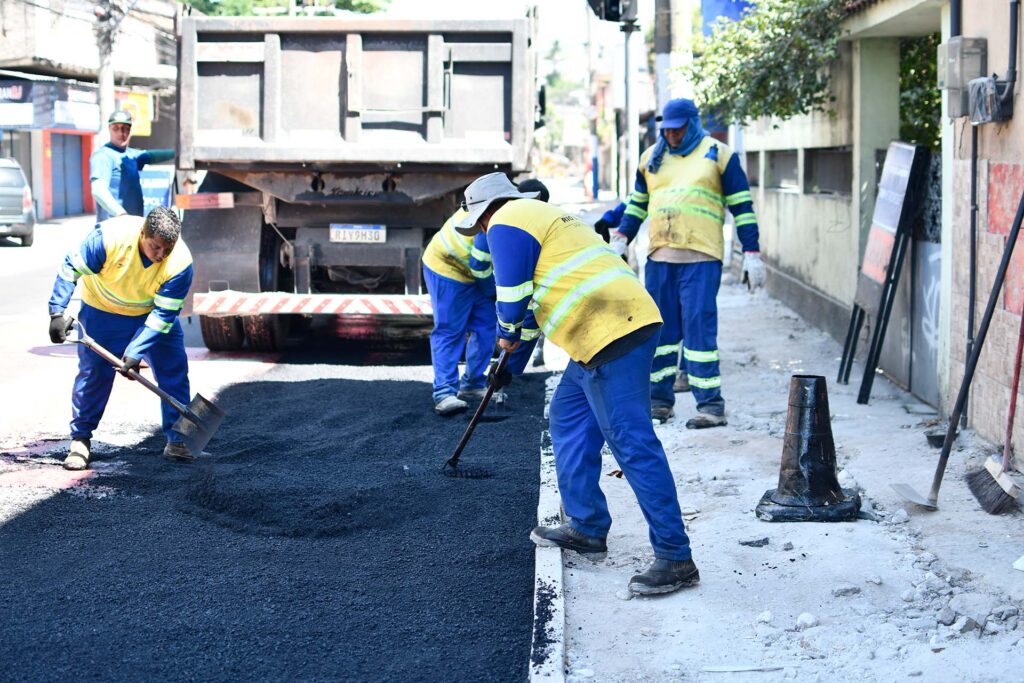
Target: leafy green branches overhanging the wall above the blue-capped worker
774	62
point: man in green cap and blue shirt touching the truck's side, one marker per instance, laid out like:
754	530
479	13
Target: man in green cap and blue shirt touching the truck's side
114	172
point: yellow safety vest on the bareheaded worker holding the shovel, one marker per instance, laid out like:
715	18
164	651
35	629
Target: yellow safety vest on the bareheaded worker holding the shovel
123	286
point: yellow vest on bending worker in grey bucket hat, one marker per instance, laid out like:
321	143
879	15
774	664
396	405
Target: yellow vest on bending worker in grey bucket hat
585	297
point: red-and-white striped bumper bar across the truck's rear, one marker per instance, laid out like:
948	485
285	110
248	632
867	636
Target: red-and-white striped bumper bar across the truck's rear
242	304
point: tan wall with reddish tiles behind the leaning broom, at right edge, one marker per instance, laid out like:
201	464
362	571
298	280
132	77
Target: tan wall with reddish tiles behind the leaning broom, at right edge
1001	183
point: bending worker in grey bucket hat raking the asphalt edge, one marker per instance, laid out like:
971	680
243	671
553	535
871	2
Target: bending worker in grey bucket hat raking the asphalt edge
552	268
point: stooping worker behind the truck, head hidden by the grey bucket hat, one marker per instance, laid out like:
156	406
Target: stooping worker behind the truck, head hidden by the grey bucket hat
460	282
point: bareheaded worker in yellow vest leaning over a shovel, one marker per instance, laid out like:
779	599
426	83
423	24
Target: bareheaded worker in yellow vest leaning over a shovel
136	275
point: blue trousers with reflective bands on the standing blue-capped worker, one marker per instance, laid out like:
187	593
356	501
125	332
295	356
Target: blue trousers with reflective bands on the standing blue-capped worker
687	295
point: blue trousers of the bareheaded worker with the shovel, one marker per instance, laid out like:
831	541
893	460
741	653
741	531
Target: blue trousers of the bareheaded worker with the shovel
96	376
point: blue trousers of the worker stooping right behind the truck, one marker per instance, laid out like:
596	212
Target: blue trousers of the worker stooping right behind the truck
461	310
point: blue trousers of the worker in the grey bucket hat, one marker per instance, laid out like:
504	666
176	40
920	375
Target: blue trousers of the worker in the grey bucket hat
612	403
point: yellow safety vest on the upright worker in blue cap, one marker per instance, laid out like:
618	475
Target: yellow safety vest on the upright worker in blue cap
687	206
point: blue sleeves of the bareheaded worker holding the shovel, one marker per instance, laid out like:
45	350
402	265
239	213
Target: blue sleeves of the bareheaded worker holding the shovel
94	254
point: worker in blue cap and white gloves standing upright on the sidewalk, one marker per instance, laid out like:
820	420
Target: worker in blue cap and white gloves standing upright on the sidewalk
685	184
